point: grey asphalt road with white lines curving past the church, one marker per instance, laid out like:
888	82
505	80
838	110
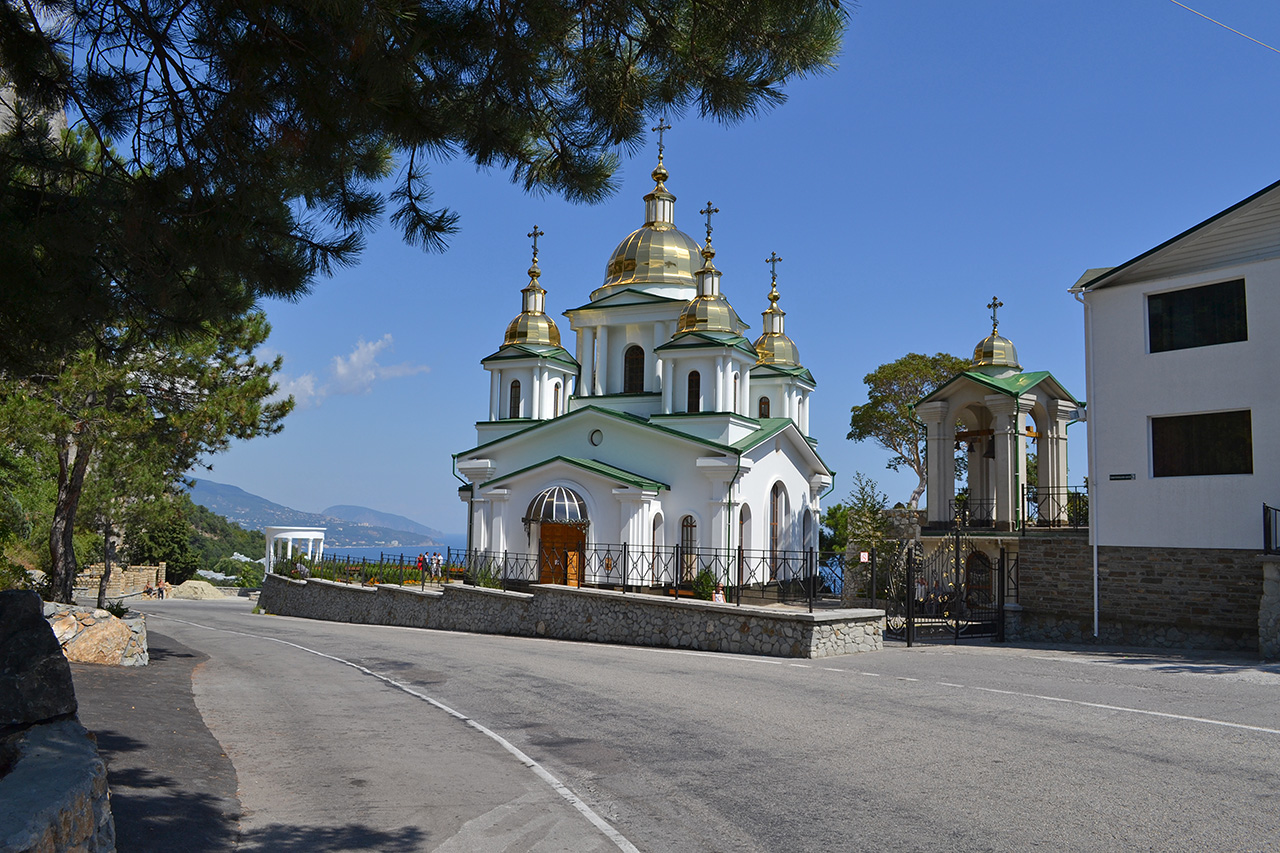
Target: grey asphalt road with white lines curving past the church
346	737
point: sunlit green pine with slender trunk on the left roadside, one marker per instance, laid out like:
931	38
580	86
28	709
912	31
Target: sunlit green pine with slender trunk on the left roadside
163	407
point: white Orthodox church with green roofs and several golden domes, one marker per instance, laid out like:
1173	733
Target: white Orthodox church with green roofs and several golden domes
666	439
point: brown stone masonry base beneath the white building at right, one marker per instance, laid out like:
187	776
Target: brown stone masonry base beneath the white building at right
1159	597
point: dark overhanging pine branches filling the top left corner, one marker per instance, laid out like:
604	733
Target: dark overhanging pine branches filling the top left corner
259	142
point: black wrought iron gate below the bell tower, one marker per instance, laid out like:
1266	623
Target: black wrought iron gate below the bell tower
952	595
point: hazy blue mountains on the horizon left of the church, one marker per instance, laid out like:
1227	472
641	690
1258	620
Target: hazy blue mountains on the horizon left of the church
254	513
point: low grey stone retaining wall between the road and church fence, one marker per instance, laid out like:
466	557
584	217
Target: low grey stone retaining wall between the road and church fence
593	615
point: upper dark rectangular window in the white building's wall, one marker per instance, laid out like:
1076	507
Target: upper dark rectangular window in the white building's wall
1197	317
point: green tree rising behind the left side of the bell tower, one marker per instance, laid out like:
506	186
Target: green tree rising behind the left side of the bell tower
888	416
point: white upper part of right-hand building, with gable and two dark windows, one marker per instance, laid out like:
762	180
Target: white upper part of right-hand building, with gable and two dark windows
1183	355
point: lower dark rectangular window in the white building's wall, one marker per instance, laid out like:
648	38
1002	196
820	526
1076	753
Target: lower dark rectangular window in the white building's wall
1219	443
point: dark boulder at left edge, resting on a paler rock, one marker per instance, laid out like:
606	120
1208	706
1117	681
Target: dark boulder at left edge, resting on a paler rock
35	678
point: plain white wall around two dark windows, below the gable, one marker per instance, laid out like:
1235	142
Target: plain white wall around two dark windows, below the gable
1131	385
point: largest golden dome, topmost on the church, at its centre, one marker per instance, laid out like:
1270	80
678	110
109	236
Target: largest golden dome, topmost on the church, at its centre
655	254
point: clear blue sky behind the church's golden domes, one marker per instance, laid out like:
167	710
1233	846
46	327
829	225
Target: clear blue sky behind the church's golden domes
961	150
